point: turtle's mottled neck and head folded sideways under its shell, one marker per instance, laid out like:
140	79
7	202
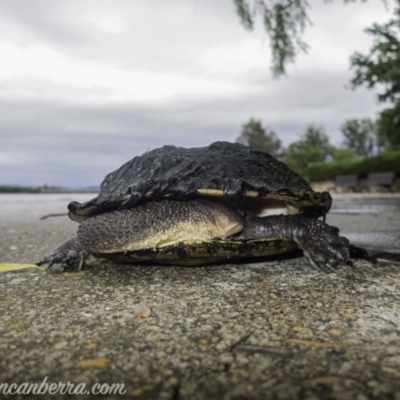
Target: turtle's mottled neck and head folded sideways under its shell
157	224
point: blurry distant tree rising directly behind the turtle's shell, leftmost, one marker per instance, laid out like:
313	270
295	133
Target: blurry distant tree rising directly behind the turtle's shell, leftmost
254	135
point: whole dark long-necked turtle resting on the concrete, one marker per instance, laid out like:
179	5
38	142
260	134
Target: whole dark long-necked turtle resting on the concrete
203	205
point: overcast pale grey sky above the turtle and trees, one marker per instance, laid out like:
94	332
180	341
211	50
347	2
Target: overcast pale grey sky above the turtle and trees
87	85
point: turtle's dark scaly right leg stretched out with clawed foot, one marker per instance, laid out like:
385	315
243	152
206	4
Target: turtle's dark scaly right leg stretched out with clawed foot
319	241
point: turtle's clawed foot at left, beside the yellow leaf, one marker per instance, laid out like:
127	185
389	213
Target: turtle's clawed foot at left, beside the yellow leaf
69	256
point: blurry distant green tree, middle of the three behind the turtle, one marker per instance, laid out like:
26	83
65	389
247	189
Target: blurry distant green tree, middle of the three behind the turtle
313	146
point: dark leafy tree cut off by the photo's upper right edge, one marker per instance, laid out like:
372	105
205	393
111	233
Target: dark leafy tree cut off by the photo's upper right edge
381	68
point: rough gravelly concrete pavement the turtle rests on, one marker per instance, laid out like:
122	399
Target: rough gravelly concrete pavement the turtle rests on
273	329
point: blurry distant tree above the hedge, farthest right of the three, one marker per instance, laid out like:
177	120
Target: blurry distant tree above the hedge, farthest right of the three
359	135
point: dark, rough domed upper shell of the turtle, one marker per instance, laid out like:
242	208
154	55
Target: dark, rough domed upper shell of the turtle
223	169
